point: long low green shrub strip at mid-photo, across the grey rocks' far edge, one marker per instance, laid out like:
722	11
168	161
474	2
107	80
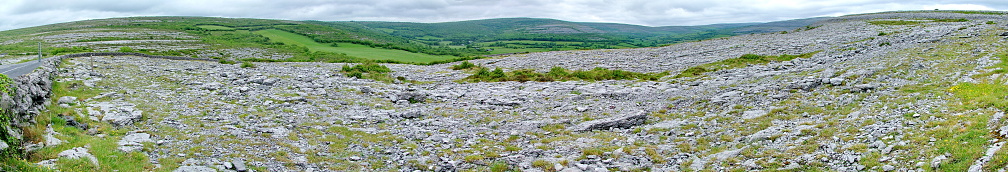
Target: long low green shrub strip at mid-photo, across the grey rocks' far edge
558	74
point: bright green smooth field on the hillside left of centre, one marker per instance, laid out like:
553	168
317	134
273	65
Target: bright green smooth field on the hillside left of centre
352	50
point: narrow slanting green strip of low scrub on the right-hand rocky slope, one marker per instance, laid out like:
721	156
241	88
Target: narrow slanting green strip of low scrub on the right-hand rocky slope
738	63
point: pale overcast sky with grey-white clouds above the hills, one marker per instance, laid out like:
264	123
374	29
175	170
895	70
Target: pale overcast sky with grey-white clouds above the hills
28	14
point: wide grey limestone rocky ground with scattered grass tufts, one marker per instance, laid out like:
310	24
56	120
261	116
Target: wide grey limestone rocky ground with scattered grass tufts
874	98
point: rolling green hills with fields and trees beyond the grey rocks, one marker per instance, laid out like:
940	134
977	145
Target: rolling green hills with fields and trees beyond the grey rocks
352	42
